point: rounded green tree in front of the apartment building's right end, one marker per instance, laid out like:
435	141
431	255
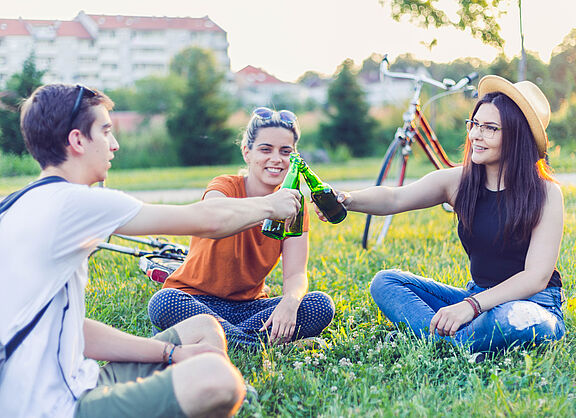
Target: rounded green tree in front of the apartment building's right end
197	123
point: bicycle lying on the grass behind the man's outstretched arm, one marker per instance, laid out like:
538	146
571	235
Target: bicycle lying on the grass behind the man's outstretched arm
157	263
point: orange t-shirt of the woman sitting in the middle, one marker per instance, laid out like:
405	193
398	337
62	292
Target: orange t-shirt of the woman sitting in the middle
234	267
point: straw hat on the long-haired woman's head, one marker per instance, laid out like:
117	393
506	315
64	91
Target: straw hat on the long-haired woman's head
529	99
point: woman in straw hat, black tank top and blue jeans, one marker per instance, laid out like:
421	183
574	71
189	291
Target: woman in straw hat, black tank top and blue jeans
510	219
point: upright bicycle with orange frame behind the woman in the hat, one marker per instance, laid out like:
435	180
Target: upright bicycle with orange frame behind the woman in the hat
415	130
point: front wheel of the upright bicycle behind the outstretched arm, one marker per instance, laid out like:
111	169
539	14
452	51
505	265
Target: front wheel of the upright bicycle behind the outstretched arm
392	173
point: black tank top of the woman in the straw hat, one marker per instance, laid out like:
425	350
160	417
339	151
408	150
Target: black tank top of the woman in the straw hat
491	259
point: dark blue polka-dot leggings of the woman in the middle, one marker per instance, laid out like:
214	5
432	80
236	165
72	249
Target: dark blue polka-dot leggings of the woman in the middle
240	320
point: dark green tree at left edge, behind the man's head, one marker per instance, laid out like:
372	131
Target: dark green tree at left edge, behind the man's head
18	87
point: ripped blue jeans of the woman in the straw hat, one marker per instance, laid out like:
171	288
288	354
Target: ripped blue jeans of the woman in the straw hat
407	298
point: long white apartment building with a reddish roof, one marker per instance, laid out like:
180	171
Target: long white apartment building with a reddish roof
105	51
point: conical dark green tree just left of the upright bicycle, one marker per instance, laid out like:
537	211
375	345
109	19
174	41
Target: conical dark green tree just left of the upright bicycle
349	122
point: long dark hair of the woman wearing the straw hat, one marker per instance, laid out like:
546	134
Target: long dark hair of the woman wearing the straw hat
525	173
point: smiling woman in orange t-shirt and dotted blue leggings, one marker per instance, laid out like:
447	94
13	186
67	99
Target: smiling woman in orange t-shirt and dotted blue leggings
225	277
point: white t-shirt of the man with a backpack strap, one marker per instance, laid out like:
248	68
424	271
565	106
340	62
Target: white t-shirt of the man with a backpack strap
45	239
